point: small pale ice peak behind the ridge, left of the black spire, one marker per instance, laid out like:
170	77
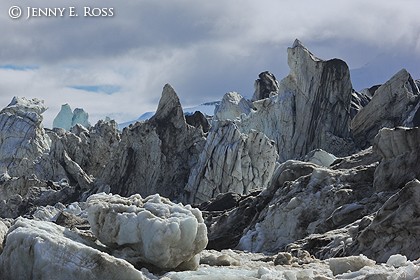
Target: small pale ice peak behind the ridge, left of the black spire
233	105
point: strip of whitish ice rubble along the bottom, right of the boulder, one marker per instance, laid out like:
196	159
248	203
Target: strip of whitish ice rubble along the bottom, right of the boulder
229	264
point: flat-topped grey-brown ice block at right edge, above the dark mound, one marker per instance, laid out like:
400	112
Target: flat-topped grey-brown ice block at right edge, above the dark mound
398	148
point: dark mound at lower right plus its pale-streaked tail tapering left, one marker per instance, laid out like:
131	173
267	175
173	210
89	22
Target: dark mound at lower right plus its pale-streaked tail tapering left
390	230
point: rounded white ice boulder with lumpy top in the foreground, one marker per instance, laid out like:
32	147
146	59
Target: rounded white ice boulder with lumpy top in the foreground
152	230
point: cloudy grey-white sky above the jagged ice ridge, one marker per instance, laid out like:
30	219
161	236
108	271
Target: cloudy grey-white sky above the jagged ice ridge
117	66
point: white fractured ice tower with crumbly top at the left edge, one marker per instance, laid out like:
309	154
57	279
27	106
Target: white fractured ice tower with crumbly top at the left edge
22	137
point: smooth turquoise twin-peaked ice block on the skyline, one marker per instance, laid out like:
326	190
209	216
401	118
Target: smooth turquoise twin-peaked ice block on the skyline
67	118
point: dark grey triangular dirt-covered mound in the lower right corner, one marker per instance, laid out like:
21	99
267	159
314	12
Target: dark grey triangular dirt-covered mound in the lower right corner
394	229
